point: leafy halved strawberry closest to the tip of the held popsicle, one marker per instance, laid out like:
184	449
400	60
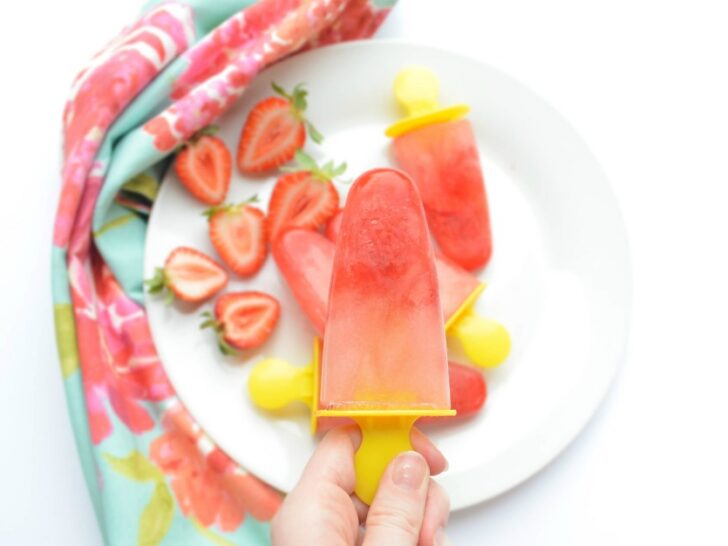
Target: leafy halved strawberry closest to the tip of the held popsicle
305	197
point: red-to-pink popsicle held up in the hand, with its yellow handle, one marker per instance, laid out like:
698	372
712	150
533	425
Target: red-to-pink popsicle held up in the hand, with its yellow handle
384	362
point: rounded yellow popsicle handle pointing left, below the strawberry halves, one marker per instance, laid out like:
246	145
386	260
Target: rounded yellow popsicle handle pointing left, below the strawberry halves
274	383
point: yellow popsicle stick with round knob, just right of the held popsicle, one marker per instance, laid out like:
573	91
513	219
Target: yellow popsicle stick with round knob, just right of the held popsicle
485	341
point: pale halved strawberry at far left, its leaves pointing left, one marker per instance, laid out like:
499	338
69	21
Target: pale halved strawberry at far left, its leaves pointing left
188	275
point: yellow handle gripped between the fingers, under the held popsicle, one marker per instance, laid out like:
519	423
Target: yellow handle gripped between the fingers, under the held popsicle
383	438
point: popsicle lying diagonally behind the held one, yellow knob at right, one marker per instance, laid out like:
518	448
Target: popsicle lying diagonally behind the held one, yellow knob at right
305	259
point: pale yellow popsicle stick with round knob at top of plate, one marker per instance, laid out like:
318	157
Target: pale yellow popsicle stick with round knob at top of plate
417	90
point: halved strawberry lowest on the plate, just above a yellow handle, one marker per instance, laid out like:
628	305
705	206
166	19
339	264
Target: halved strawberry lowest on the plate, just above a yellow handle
242	320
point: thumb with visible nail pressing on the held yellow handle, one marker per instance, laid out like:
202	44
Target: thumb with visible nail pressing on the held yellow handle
395	516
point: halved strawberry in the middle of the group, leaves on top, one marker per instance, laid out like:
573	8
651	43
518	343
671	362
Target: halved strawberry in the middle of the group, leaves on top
238	234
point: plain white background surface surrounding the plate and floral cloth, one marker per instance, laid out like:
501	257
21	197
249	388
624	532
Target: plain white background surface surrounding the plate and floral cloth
644	82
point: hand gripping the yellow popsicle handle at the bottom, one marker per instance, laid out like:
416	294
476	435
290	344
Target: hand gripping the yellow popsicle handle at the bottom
409	509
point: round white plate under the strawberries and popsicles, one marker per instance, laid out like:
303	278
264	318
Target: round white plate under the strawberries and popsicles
559	278
